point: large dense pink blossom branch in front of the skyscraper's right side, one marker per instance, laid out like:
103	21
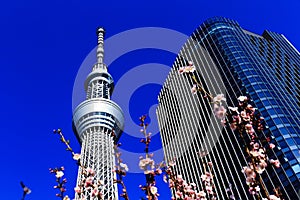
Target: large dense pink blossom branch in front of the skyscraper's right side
247	122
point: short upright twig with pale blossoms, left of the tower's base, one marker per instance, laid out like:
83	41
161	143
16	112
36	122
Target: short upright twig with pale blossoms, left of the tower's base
60	182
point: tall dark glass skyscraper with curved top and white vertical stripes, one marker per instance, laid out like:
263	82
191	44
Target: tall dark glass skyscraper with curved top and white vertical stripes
234	61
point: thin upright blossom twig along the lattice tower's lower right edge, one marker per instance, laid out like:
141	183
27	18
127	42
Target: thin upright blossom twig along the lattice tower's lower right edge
120	169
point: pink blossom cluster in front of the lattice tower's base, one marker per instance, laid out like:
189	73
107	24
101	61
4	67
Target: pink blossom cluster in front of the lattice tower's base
89	185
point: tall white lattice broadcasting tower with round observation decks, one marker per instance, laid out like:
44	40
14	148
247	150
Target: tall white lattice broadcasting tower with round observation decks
98	123
